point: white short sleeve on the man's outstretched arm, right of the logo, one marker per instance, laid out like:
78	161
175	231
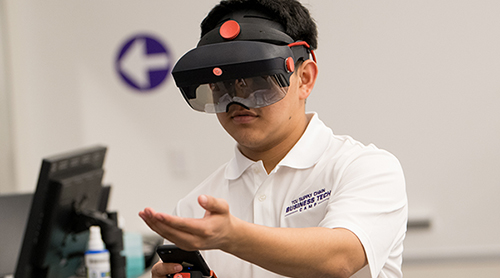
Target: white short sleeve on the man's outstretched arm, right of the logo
369	199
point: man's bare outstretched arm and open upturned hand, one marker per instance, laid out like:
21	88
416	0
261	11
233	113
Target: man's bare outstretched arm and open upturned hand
294	252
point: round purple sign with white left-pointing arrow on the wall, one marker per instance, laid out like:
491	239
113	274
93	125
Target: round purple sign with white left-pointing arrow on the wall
143	62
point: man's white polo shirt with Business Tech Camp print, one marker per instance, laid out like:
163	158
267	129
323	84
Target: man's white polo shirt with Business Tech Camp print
326	180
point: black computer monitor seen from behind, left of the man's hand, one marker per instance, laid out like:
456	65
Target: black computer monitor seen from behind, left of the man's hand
55	237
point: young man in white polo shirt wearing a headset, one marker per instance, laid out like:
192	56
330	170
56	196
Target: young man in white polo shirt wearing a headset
296	200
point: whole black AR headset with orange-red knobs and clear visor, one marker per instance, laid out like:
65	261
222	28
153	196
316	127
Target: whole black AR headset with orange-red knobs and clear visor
246	60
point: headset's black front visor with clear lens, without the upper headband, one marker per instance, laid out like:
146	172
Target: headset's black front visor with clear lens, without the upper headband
250	73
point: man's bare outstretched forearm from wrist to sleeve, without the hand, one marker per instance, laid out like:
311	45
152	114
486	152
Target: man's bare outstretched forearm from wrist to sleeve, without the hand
298	252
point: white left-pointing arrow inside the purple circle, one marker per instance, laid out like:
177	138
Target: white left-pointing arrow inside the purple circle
136	63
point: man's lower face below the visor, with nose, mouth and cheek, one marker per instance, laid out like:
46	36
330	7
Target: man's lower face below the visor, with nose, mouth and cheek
260	129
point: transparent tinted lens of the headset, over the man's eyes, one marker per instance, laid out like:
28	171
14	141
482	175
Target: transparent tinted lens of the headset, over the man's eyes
253	92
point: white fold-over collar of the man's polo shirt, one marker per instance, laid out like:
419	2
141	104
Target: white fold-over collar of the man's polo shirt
304	154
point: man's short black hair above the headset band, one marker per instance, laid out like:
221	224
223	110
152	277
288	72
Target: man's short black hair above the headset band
291	14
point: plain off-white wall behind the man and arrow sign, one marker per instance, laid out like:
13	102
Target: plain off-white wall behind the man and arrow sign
419	78
